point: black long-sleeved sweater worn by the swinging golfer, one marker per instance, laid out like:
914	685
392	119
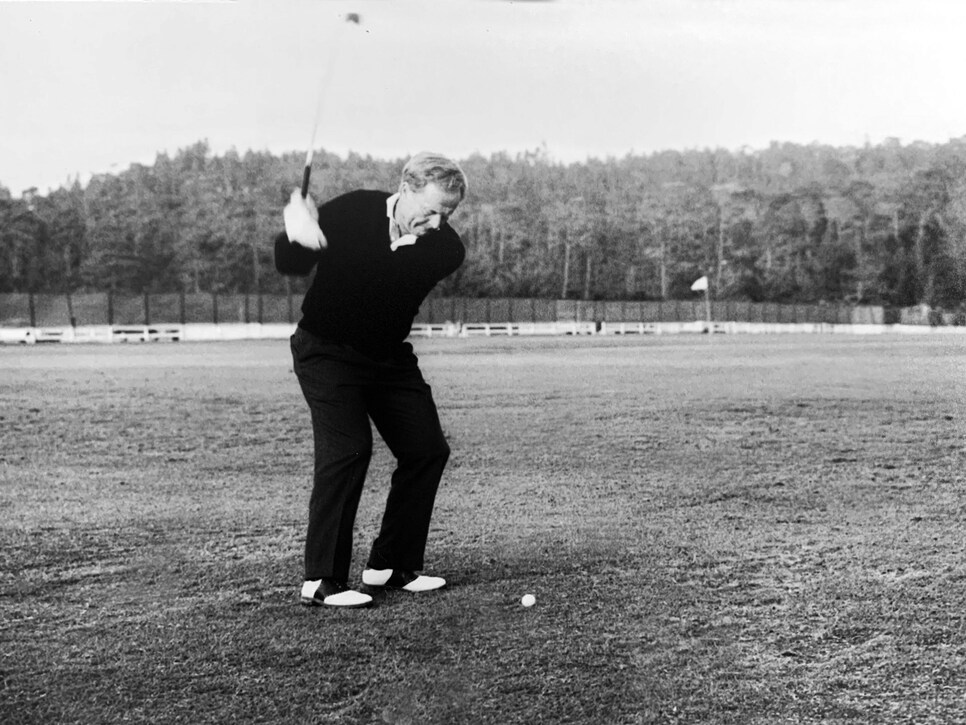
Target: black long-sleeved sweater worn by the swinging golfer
364	294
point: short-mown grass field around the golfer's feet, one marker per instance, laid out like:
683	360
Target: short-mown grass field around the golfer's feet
727	530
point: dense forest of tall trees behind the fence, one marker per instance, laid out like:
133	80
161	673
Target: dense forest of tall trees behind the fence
882	224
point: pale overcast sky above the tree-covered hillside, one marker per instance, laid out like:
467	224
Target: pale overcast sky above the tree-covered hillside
91	87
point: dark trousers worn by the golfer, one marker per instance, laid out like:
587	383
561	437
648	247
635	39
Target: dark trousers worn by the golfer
344	390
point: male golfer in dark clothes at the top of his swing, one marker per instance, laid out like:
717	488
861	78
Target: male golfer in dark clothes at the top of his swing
376	257
